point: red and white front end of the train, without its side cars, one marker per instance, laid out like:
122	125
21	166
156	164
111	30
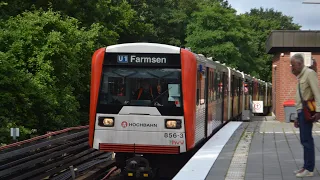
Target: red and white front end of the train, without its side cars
142	101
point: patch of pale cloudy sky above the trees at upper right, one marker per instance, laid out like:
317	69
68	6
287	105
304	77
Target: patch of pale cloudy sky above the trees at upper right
306	15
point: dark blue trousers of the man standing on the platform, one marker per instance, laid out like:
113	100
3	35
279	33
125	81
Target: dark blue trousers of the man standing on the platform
307	142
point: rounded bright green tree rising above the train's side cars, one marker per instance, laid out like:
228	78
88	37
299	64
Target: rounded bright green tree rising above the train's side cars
218	32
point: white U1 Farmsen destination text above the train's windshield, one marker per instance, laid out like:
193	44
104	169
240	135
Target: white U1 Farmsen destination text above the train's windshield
140	59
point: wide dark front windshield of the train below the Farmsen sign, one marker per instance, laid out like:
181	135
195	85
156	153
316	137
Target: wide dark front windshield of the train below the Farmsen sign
156	87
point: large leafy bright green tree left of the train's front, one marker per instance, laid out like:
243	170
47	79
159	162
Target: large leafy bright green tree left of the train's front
45	70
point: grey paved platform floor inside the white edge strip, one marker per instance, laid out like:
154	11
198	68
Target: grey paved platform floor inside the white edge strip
264	149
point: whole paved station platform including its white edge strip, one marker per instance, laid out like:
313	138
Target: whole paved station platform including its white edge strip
262	149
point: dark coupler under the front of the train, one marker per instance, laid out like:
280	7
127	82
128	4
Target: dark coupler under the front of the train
137	168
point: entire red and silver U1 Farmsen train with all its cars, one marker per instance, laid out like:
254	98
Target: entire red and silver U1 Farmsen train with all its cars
155	99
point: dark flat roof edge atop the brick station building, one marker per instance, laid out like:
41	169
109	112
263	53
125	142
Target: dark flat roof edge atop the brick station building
293	41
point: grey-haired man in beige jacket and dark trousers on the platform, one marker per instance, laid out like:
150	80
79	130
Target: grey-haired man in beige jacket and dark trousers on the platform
307	88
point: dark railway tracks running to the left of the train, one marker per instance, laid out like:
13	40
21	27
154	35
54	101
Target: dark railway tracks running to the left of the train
58	155
